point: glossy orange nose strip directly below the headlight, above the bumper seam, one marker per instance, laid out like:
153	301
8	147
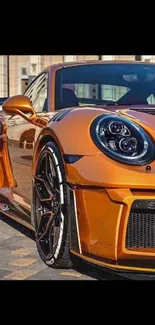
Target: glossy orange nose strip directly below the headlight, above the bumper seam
107	173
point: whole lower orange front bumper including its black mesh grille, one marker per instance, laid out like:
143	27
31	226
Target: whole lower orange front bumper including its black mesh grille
117	228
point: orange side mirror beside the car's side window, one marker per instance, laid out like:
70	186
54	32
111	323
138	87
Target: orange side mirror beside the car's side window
19	105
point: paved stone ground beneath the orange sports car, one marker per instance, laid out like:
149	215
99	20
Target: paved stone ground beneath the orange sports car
19	259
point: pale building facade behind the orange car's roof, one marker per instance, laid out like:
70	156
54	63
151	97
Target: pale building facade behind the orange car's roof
22	69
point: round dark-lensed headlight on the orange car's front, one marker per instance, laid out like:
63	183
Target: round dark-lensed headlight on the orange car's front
122	140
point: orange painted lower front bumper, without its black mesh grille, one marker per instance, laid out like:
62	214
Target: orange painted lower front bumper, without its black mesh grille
103	217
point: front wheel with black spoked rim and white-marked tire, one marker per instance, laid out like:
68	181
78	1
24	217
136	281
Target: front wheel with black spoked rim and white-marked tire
55	180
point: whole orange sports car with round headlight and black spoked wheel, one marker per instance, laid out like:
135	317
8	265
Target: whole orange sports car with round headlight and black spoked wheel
77	163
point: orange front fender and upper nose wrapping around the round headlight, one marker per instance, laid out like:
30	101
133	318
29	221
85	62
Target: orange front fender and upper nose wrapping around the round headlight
103	171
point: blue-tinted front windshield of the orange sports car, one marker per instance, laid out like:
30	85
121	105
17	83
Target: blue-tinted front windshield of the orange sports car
105	84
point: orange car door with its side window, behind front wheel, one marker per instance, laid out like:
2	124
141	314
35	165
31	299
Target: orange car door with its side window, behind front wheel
21	137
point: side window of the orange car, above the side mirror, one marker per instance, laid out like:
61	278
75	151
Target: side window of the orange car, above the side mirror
37	93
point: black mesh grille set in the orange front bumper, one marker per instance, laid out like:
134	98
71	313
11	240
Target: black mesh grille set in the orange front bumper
141	229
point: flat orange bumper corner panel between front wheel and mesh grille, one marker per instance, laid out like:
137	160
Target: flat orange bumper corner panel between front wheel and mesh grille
95	213
